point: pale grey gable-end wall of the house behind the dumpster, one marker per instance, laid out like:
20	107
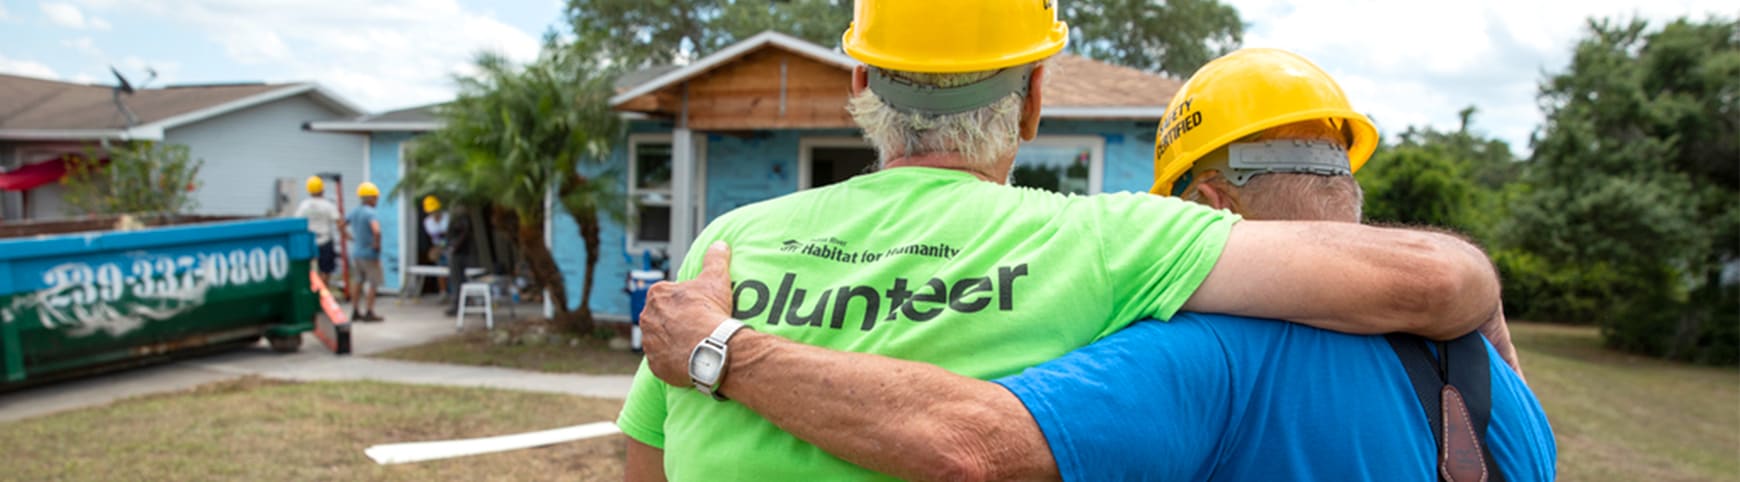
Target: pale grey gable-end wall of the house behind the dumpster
246	152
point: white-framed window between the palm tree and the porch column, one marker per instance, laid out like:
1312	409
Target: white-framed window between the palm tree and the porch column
650	166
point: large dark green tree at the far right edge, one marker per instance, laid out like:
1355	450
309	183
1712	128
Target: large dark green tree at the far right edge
1631	192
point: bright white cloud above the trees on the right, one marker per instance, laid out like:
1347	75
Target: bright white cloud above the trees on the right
1419	64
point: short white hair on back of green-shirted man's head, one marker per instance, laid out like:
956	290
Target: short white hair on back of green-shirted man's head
980	137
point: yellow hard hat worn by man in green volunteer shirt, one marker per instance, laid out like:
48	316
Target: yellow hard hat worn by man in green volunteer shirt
954	36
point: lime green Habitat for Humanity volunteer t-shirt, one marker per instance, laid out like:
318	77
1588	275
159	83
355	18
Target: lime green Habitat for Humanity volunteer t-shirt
925	265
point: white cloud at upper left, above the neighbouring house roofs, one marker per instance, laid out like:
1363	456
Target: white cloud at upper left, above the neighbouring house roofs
382	55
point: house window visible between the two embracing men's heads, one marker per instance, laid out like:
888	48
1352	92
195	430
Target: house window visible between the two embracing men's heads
1064	164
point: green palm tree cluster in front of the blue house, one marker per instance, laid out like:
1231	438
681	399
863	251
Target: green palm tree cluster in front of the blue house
518	133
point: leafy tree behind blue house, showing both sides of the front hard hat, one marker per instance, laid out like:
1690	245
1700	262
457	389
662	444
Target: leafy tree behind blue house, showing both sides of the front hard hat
1160	36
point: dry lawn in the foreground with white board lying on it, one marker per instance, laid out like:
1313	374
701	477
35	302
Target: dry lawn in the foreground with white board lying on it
271	431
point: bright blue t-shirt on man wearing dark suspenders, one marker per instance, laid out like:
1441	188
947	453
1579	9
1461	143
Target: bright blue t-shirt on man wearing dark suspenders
1210	398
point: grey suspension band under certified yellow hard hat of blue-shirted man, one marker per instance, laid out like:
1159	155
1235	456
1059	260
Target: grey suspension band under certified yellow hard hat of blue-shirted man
1243	161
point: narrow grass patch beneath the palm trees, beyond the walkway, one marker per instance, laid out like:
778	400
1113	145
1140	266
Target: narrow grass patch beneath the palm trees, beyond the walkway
474	349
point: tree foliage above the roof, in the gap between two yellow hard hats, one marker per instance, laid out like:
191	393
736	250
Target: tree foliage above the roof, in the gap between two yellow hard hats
1174	37
